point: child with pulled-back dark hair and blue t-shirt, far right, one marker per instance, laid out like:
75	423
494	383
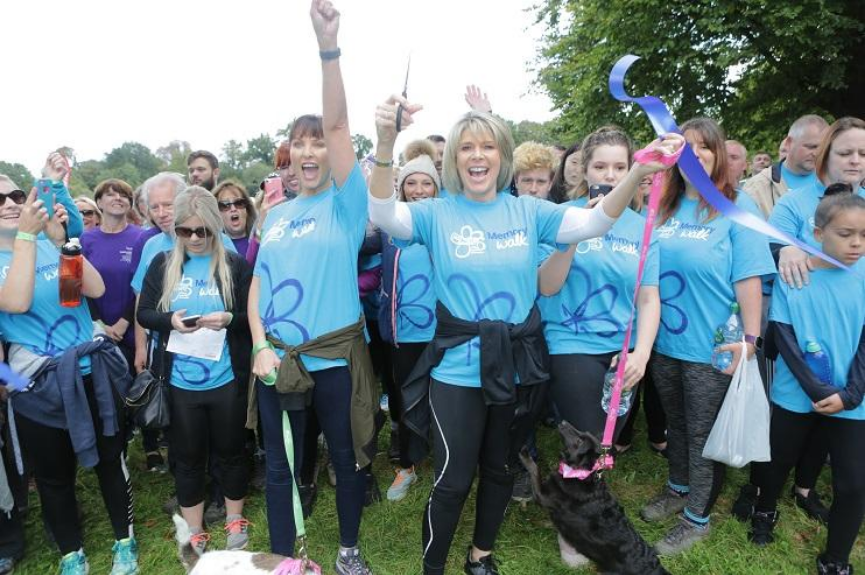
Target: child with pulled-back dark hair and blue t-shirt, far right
831	312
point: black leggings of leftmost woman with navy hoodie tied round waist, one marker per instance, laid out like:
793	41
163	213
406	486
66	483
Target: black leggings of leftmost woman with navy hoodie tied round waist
55	466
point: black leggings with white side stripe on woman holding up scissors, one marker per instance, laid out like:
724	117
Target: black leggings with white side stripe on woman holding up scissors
468	435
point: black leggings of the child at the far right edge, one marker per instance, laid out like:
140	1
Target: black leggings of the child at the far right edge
790	434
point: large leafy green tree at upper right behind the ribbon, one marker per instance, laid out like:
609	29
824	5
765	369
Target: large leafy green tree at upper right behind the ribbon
755	65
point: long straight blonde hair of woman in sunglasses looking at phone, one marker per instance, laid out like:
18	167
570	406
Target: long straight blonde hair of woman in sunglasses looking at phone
197	201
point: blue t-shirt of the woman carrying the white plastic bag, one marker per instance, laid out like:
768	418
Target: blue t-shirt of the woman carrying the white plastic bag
701	262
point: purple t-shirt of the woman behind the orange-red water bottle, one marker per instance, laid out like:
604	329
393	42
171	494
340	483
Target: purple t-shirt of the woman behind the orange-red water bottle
111	255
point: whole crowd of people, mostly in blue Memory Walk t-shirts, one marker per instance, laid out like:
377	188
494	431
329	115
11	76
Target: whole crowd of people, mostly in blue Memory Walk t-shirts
485	286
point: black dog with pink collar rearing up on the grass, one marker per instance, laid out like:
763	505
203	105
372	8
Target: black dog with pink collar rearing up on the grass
586	514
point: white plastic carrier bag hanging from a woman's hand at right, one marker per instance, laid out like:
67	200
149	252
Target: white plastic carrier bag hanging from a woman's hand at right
741	431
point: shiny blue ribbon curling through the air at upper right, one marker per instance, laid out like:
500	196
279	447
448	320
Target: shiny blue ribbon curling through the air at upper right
662	121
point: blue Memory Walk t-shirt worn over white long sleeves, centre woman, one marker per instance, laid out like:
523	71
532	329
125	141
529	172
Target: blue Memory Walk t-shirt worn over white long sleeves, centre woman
485	259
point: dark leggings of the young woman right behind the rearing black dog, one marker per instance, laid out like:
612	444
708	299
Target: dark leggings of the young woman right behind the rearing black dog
577	386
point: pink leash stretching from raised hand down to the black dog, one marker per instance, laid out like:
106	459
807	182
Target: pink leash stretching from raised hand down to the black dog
605	461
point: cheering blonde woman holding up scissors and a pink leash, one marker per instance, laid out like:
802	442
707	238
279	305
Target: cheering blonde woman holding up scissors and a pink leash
483	243
